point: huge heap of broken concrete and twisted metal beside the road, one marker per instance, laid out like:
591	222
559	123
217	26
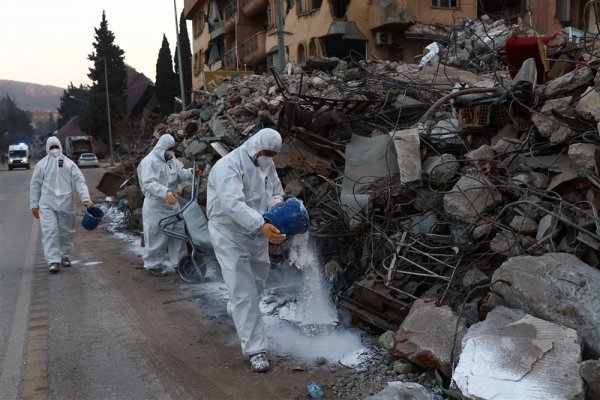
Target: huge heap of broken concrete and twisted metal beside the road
459	207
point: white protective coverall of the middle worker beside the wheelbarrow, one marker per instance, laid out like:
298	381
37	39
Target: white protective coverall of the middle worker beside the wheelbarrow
157	177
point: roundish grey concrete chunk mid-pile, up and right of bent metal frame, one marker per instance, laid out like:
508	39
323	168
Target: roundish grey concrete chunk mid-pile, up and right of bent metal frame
471	196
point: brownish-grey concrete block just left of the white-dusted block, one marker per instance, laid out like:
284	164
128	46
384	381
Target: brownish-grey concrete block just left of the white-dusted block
425	336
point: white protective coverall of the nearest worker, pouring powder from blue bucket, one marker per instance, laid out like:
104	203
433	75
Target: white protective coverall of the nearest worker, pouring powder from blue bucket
239	193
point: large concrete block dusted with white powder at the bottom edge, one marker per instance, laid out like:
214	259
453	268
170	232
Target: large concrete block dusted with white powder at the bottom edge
513	355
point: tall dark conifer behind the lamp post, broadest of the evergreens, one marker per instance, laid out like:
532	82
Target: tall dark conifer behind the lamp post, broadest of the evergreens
110	55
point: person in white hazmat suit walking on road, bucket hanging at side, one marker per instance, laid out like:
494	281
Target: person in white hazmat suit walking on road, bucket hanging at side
51	200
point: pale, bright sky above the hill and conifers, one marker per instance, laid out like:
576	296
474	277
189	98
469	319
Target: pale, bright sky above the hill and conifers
47	42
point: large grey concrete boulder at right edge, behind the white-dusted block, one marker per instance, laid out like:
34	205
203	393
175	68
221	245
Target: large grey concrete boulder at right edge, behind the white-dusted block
558	287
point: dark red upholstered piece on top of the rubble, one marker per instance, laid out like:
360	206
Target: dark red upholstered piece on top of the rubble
520	48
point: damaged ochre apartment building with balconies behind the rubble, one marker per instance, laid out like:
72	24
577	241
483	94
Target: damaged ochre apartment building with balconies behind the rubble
242	35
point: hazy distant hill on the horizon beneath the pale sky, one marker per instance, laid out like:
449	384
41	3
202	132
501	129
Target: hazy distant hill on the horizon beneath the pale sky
31	96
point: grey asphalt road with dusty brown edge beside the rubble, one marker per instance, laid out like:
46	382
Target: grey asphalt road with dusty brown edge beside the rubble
105	329
